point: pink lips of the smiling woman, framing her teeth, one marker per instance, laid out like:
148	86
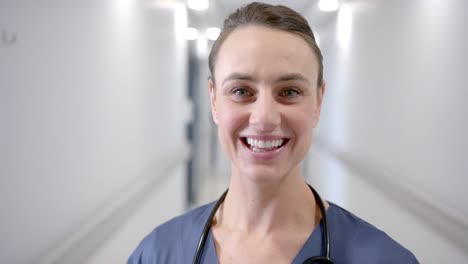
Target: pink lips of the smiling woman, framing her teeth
267	155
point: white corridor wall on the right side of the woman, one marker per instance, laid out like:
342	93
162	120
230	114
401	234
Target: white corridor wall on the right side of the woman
396	75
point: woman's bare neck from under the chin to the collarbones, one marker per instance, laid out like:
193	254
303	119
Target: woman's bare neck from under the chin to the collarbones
263	208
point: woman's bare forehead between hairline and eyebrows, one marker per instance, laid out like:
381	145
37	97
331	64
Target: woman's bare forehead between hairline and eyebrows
265	53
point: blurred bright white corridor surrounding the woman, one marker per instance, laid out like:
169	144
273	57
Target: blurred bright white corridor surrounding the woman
106	132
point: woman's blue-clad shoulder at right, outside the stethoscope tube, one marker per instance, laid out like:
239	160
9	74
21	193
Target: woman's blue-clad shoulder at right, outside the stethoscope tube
362	242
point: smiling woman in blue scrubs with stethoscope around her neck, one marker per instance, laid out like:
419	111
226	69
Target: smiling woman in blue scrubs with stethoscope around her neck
266	90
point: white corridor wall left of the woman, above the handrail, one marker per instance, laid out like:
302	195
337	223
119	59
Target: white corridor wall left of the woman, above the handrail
93	93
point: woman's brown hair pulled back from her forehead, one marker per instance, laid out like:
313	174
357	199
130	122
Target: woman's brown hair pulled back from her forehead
271	16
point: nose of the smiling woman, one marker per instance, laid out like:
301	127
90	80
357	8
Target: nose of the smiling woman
265	113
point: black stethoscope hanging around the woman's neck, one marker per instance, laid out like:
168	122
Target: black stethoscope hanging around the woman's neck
318	259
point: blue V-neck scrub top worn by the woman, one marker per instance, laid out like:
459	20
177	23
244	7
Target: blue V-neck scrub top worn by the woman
352	241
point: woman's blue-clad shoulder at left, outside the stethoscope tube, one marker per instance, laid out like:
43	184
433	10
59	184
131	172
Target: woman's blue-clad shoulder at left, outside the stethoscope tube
172	241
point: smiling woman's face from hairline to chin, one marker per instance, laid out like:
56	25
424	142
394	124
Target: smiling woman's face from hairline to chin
265	101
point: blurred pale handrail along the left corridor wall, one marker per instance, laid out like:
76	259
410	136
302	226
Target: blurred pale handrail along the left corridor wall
84	242
